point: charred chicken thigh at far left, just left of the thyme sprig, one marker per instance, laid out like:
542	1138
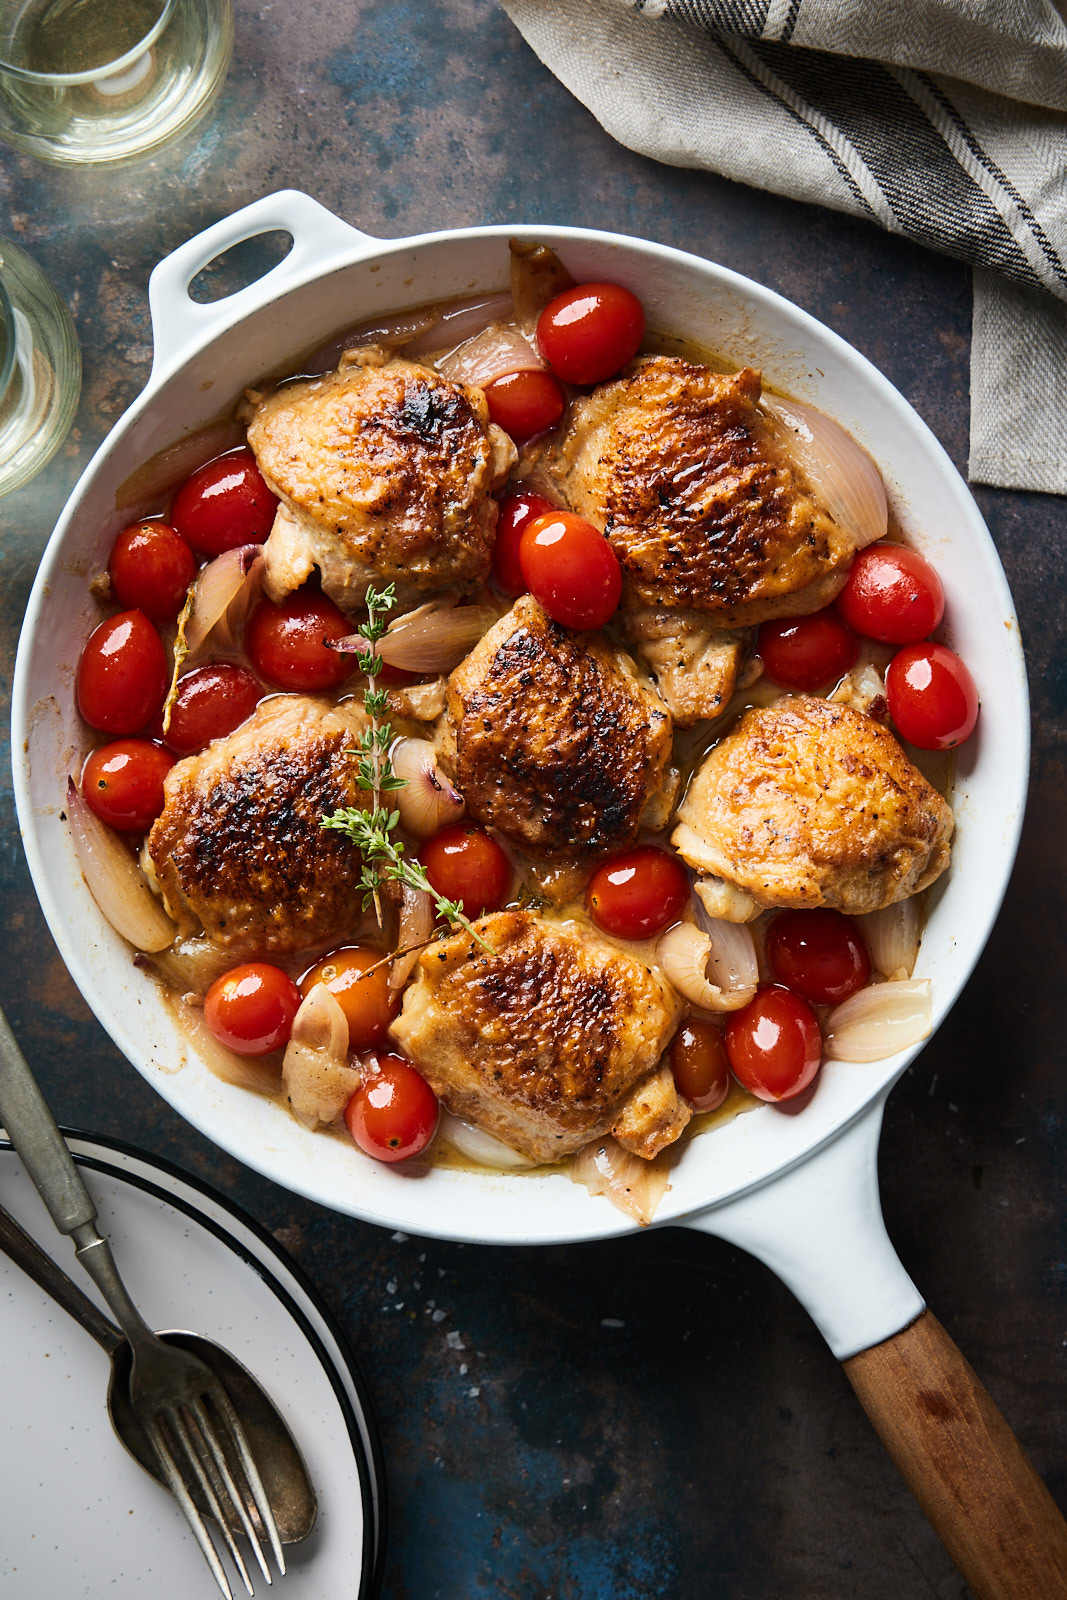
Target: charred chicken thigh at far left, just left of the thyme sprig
239	847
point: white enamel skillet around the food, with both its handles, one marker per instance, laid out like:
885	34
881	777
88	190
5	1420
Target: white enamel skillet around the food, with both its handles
797	1190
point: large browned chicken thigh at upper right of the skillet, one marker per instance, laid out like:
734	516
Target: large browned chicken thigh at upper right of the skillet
713	522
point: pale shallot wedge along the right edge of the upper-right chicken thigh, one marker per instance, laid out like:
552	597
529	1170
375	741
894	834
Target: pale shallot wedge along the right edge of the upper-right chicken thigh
839	470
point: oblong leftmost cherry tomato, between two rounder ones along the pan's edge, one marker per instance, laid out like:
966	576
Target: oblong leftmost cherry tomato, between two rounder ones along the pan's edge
122	674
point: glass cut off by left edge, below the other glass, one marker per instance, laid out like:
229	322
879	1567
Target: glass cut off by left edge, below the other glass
41	369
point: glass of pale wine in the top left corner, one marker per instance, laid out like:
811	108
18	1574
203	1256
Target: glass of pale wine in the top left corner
103	82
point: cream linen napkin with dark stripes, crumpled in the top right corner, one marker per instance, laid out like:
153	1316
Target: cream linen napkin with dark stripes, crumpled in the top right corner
945	121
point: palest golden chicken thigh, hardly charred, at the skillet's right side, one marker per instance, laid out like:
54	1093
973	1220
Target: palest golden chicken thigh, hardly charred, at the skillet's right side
813	804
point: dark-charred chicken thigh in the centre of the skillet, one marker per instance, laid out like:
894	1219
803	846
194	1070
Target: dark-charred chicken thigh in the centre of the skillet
553	738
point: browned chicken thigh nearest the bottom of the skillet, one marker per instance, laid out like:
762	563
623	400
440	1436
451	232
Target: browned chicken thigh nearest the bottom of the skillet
543	1041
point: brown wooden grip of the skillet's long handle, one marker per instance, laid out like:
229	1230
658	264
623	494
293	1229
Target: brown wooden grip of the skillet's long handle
964	1465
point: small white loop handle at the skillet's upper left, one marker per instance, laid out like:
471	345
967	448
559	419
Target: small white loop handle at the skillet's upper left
182	324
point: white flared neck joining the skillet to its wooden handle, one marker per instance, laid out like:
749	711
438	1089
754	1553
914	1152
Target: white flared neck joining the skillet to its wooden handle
820	1228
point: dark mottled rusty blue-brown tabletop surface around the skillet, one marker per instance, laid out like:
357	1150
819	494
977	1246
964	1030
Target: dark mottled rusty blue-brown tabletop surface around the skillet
652	1417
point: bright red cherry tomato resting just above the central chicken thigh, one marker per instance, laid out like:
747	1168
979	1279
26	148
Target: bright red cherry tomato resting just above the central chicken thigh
570	569
